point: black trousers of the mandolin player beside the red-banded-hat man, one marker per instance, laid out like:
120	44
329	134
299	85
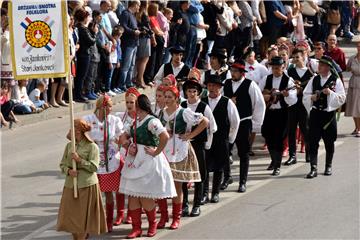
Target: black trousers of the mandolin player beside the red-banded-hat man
274	131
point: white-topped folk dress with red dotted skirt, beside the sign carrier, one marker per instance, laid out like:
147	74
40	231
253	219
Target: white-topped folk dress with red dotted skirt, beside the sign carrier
106	134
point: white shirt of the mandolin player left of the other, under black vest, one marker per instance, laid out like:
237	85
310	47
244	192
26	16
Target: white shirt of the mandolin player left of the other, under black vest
290	100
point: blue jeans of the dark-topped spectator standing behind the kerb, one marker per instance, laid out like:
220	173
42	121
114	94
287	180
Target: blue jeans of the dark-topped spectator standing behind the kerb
127	66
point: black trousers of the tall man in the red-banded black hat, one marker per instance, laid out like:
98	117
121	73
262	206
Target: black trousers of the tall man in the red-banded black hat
243	147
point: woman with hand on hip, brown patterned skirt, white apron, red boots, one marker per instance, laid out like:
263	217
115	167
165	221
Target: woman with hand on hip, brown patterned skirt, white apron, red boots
178	151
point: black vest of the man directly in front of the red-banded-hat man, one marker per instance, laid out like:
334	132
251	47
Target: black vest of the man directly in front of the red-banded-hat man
221	118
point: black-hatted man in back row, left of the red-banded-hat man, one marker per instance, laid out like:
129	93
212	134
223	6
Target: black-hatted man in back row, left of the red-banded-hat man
218	65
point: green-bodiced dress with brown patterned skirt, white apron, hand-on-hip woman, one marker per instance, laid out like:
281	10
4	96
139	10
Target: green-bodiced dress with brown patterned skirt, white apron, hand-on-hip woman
179	153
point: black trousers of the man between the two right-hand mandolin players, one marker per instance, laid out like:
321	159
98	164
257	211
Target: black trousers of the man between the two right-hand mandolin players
297	115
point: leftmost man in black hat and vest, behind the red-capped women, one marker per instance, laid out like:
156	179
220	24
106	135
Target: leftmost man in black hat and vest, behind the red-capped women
175	66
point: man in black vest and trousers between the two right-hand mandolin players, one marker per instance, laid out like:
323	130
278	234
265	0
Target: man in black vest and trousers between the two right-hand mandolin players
297	113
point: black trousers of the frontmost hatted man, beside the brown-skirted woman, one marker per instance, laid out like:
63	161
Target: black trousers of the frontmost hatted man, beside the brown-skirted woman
199	148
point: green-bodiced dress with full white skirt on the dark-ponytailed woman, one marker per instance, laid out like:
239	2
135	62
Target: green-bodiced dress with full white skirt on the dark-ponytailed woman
144	175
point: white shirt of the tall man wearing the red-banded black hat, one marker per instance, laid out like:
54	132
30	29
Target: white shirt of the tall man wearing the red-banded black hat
257	103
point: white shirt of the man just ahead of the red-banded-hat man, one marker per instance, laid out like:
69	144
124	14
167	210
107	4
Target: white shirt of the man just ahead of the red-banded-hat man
233	116
